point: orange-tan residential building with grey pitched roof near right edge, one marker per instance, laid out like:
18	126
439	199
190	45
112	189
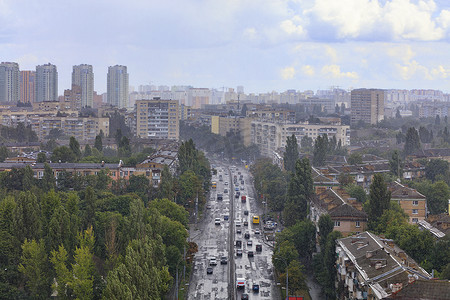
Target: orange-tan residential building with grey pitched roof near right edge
413	203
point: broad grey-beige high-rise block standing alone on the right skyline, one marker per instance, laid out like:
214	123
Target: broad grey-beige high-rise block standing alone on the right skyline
367	105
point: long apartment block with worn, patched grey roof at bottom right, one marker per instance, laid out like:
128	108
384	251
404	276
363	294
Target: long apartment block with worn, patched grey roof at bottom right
372	268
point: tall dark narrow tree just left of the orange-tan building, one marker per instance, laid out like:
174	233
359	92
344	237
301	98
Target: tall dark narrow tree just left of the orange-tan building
379	200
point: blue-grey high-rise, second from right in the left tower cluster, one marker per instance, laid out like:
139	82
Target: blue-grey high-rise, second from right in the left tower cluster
83	76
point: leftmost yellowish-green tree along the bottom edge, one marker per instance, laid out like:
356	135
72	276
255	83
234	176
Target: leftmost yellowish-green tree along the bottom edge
34	266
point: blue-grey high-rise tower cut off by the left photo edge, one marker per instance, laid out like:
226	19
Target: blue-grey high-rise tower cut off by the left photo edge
9	82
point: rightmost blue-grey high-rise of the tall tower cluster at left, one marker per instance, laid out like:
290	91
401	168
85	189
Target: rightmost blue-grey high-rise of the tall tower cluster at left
117	86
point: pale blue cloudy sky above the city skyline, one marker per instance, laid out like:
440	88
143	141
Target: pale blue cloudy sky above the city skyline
263	45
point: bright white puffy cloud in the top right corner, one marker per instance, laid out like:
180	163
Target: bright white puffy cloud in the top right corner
371	20
